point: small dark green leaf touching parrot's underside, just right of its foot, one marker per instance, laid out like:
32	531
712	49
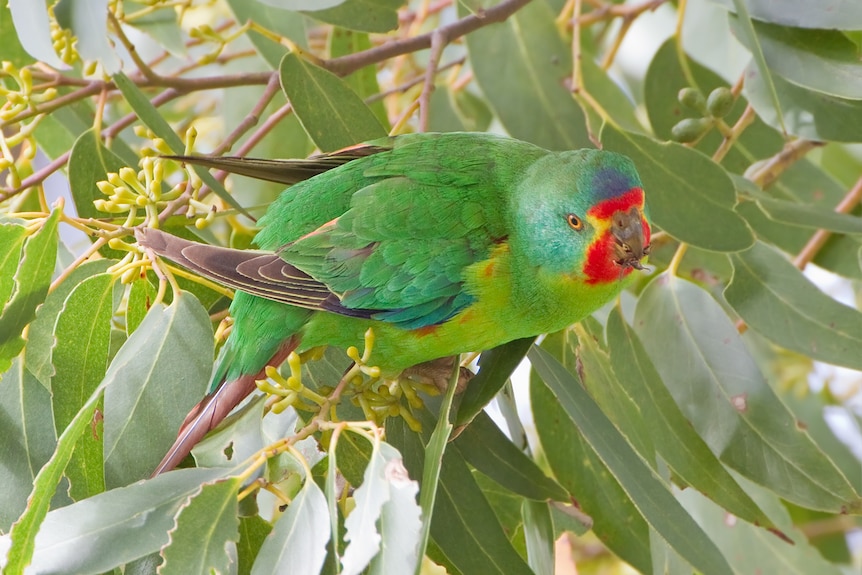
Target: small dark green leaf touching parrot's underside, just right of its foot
495	367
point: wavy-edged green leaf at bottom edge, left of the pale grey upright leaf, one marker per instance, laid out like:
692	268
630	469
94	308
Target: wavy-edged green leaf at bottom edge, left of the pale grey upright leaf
207	524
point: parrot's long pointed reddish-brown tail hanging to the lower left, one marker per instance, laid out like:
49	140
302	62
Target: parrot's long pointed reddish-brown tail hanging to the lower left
212	409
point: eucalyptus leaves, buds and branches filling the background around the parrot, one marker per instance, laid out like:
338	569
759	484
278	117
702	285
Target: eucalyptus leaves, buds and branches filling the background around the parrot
690	426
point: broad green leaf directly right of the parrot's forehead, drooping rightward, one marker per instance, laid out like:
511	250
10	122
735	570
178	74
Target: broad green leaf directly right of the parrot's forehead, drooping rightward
688	195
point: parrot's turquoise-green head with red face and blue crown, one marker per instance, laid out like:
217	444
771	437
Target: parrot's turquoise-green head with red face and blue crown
583	215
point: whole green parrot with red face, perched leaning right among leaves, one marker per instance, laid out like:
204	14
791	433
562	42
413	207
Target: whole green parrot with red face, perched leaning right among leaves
442	243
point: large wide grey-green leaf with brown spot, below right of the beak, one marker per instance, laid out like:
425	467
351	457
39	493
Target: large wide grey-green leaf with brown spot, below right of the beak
702	360
